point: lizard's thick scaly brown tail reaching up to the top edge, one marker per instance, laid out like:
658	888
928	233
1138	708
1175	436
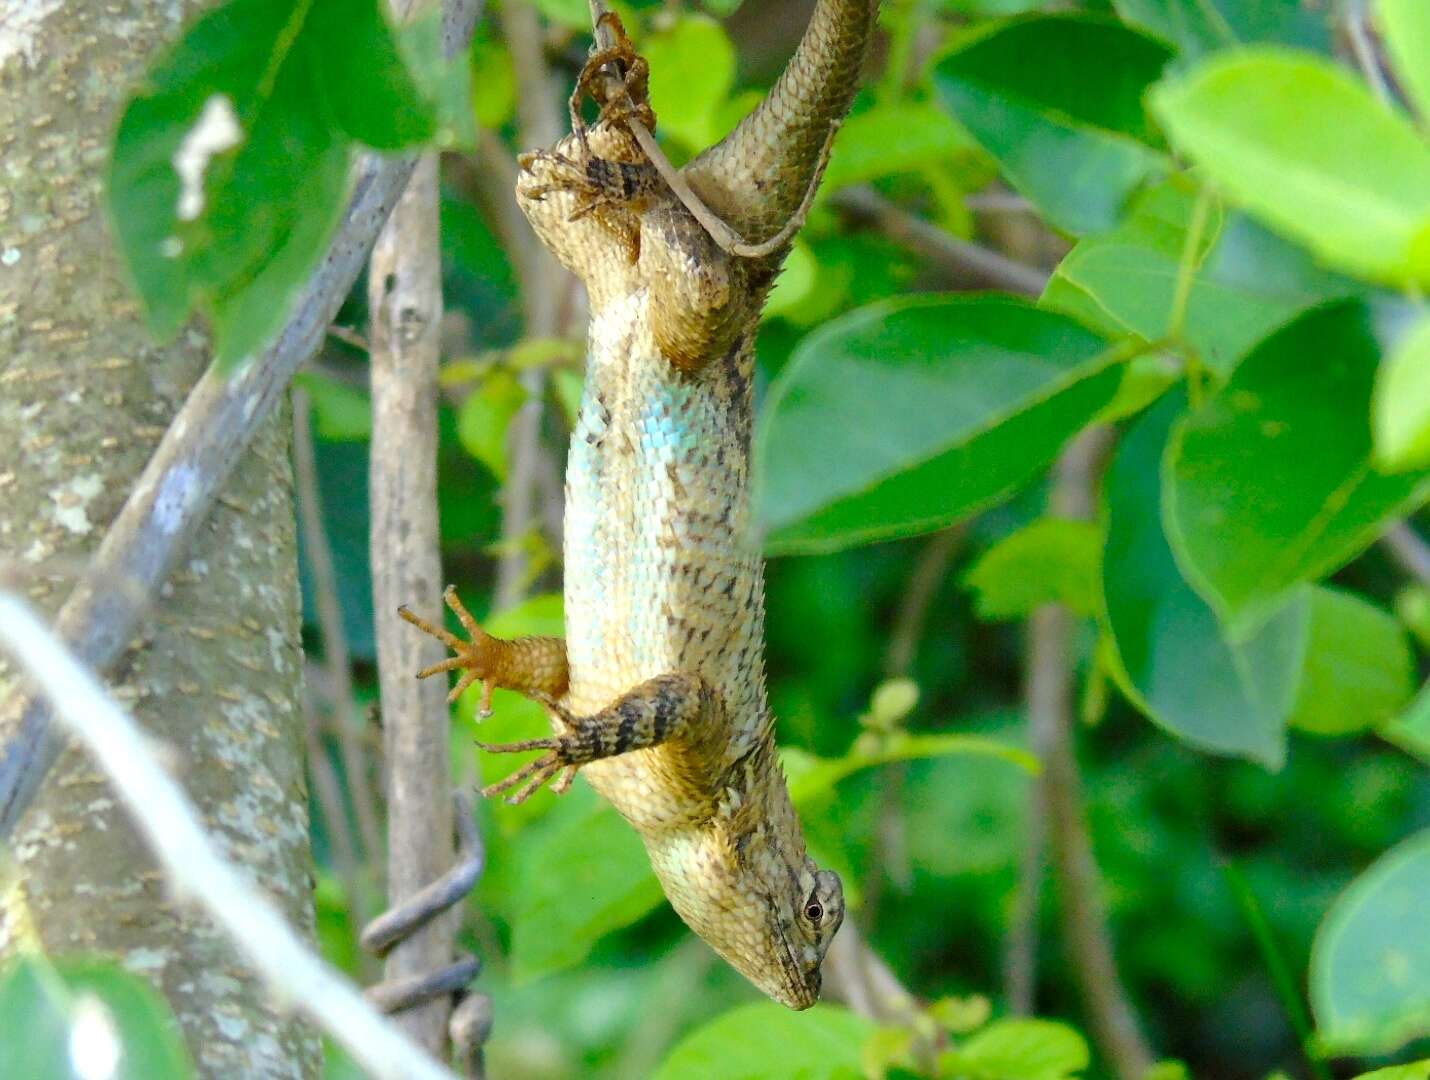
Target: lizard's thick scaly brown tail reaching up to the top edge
759	175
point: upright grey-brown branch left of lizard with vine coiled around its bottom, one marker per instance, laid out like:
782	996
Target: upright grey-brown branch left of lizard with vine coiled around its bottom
405	300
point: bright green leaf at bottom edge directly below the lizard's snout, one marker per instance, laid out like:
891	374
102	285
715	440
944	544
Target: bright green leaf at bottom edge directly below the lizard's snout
769	1042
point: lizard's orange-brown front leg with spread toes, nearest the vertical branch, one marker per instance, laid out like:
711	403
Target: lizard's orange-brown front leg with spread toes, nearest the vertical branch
534	666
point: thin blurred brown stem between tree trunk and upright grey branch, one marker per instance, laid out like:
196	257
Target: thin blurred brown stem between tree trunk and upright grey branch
344	703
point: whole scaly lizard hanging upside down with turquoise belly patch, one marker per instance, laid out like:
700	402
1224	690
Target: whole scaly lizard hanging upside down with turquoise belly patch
664	706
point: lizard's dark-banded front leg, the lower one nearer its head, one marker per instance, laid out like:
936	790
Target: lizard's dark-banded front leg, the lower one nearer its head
669	709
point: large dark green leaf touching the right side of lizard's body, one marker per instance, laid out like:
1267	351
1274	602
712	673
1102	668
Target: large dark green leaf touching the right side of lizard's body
909	414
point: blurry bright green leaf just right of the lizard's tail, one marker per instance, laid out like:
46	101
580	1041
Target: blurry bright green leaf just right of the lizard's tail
864	151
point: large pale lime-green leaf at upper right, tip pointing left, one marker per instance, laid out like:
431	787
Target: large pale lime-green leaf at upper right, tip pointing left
1256	121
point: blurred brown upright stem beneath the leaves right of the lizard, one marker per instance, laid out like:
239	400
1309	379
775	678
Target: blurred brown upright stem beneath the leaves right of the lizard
1050	715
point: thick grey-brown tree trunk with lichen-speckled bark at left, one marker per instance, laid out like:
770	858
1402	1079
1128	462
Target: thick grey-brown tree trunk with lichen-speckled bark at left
215	672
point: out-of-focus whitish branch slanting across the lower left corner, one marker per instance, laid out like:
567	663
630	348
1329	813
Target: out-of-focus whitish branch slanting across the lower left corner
191	860
